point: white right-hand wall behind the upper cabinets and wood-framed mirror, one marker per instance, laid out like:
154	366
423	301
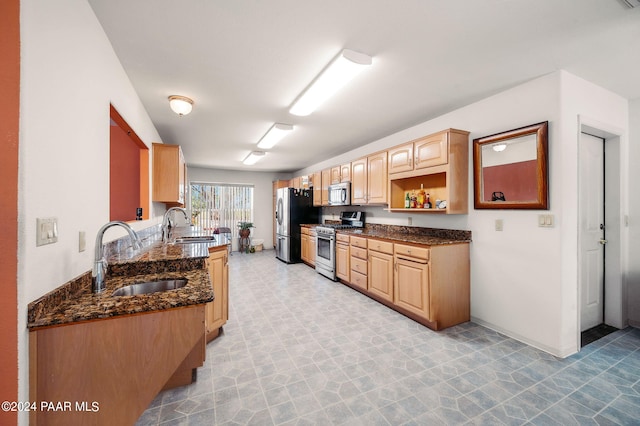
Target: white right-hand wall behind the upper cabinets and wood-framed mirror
523	279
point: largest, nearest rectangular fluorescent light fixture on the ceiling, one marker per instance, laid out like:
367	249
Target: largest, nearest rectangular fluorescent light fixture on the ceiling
339	72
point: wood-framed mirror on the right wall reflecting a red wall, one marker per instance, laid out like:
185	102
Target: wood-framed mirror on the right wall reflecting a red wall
510	169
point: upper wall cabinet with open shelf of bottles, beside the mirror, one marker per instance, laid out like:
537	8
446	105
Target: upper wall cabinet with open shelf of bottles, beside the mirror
437	164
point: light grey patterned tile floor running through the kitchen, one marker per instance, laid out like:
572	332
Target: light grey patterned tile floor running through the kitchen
302	350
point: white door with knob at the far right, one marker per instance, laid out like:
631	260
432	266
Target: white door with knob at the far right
592	232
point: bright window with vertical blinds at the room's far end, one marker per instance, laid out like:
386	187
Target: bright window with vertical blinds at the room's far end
217	205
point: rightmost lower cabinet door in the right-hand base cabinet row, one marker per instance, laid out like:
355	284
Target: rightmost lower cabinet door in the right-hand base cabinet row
411	286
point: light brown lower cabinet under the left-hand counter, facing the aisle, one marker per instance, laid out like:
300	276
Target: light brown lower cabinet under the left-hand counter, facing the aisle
217	311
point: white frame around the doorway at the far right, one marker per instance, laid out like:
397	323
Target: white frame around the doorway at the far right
616	218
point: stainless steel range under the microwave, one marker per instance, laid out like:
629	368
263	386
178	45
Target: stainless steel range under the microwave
326	242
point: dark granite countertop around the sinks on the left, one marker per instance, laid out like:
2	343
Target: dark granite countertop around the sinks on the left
73	301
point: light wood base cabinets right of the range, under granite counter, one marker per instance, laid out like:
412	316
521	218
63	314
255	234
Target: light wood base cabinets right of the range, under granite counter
430	284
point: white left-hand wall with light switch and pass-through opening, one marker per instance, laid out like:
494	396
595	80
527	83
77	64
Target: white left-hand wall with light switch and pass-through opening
69	76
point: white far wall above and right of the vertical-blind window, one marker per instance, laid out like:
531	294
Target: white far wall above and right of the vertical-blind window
263	195
